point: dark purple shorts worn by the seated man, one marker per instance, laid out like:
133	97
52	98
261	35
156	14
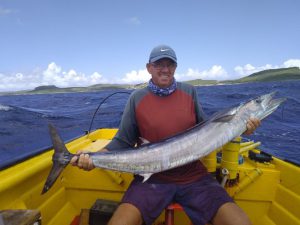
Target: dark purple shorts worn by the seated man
200	199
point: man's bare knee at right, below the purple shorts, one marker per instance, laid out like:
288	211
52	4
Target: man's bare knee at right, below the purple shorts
230	214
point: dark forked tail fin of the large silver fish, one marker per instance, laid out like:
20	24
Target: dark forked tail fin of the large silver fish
60	158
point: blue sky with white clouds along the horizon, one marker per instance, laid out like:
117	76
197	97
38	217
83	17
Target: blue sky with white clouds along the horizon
71	43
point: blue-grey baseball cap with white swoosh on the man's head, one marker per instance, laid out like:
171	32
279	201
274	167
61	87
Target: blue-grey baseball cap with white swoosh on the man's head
162	51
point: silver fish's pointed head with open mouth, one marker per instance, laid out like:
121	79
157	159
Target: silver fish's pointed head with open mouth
263	105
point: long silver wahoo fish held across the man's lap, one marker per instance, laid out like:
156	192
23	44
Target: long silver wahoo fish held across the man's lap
175	151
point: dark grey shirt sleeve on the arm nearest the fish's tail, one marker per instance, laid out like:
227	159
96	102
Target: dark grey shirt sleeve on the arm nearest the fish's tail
128	133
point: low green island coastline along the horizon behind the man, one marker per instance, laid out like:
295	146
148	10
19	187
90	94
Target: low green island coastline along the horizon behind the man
282	74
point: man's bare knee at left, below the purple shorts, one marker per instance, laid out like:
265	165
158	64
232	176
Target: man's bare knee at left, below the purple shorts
126	214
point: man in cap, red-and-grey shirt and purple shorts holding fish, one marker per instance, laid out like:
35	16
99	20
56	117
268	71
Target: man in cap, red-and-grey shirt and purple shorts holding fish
162	109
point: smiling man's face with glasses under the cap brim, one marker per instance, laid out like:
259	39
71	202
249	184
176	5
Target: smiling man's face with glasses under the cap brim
162	72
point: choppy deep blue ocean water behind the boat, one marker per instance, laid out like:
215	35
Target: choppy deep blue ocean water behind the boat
24	118
